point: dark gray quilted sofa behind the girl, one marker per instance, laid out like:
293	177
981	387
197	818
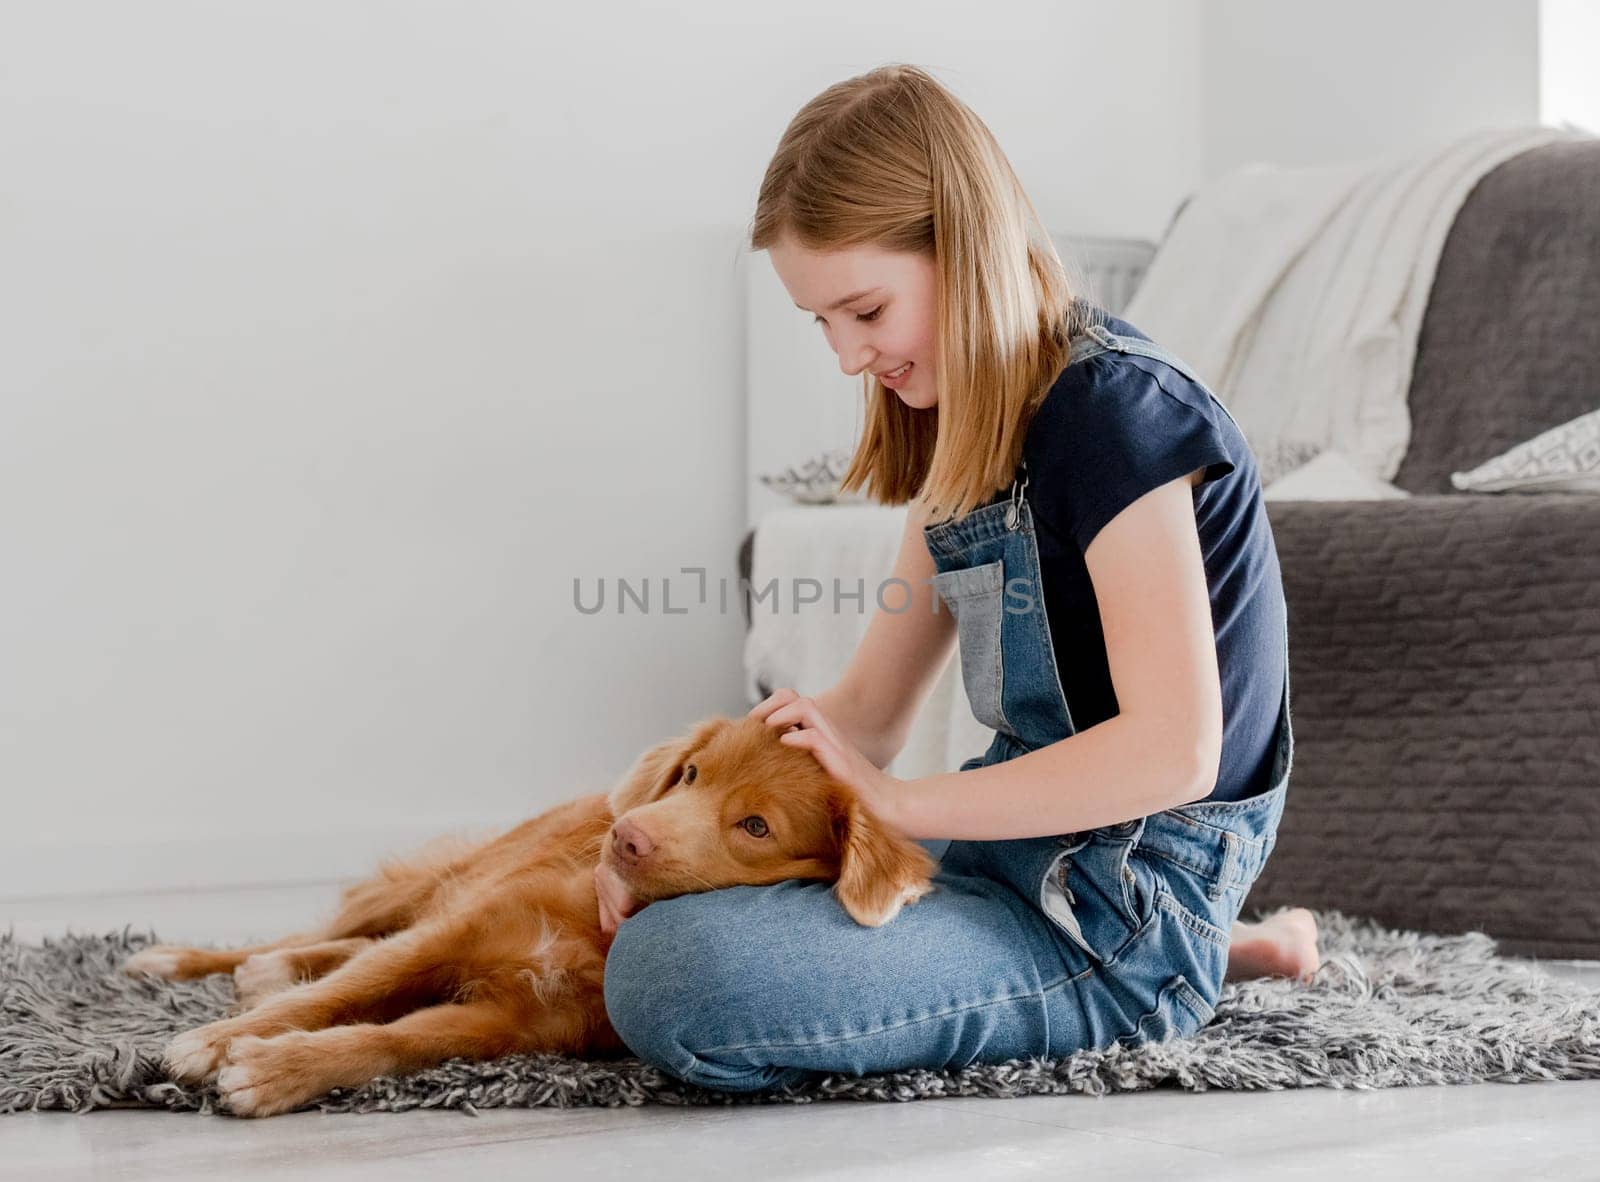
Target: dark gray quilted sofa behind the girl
1446	649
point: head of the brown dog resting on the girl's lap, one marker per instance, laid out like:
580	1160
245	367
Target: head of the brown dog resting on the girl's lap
730	805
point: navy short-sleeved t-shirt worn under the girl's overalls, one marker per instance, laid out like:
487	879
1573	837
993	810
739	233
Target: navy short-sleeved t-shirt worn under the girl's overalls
1113	428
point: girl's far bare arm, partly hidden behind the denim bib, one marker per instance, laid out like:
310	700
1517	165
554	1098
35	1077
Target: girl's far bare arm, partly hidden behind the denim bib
900	658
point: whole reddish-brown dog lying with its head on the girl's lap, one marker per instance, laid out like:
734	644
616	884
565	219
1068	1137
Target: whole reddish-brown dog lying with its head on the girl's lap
497	949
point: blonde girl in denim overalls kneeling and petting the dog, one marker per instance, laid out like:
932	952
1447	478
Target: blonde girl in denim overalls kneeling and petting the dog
1092	517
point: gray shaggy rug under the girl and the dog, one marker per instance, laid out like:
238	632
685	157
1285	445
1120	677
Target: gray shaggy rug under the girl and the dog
1386	1010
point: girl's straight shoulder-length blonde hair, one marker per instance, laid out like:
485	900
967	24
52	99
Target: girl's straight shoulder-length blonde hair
894	161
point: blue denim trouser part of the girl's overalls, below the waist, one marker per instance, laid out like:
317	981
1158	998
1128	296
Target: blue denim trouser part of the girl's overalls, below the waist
754	988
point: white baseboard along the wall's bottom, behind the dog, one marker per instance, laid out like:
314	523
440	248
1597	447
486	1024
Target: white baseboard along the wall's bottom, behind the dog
207	861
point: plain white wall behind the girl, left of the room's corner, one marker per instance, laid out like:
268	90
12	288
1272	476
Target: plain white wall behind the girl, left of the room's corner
337	340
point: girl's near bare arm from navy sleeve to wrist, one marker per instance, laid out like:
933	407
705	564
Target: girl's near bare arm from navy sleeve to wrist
1166	745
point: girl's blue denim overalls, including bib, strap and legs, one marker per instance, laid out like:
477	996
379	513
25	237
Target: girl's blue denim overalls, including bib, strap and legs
1028	948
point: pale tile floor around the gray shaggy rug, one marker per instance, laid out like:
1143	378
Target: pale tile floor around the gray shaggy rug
1489	1132
